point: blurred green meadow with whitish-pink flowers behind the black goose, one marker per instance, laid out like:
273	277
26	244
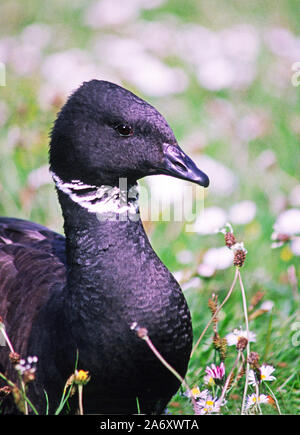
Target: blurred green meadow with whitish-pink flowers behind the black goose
224	75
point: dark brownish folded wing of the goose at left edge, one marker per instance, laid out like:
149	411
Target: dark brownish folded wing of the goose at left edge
32	263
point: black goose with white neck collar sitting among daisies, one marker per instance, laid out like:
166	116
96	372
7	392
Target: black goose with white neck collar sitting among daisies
83	292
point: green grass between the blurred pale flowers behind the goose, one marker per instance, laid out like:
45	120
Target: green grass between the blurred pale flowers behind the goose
25	124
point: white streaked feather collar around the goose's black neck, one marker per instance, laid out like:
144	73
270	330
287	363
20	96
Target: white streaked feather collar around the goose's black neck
100	200
